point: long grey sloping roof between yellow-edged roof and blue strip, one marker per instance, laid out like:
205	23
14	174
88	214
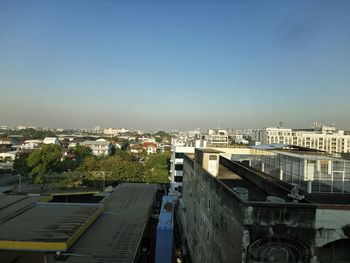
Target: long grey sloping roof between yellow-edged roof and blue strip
117	234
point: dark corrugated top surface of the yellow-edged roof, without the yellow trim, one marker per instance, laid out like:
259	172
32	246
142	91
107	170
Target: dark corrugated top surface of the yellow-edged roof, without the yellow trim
46	222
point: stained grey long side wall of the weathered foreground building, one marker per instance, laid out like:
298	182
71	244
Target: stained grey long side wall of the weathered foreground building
212	228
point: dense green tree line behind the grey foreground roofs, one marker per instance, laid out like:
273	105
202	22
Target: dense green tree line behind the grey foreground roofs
89	169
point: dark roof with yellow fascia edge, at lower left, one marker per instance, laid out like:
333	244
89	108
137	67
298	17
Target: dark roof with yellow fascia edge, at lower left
45	226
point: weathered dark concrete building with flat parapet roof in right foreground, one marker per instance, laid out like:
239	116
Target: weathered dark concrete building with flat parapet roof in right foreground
230	213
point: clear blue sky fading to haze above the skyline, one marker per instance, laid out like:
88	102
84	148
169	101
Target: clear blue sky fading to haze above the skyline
174	64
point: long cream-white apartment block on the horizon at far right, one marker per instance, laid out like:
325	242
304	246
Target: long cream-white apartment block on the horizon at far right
323	138
